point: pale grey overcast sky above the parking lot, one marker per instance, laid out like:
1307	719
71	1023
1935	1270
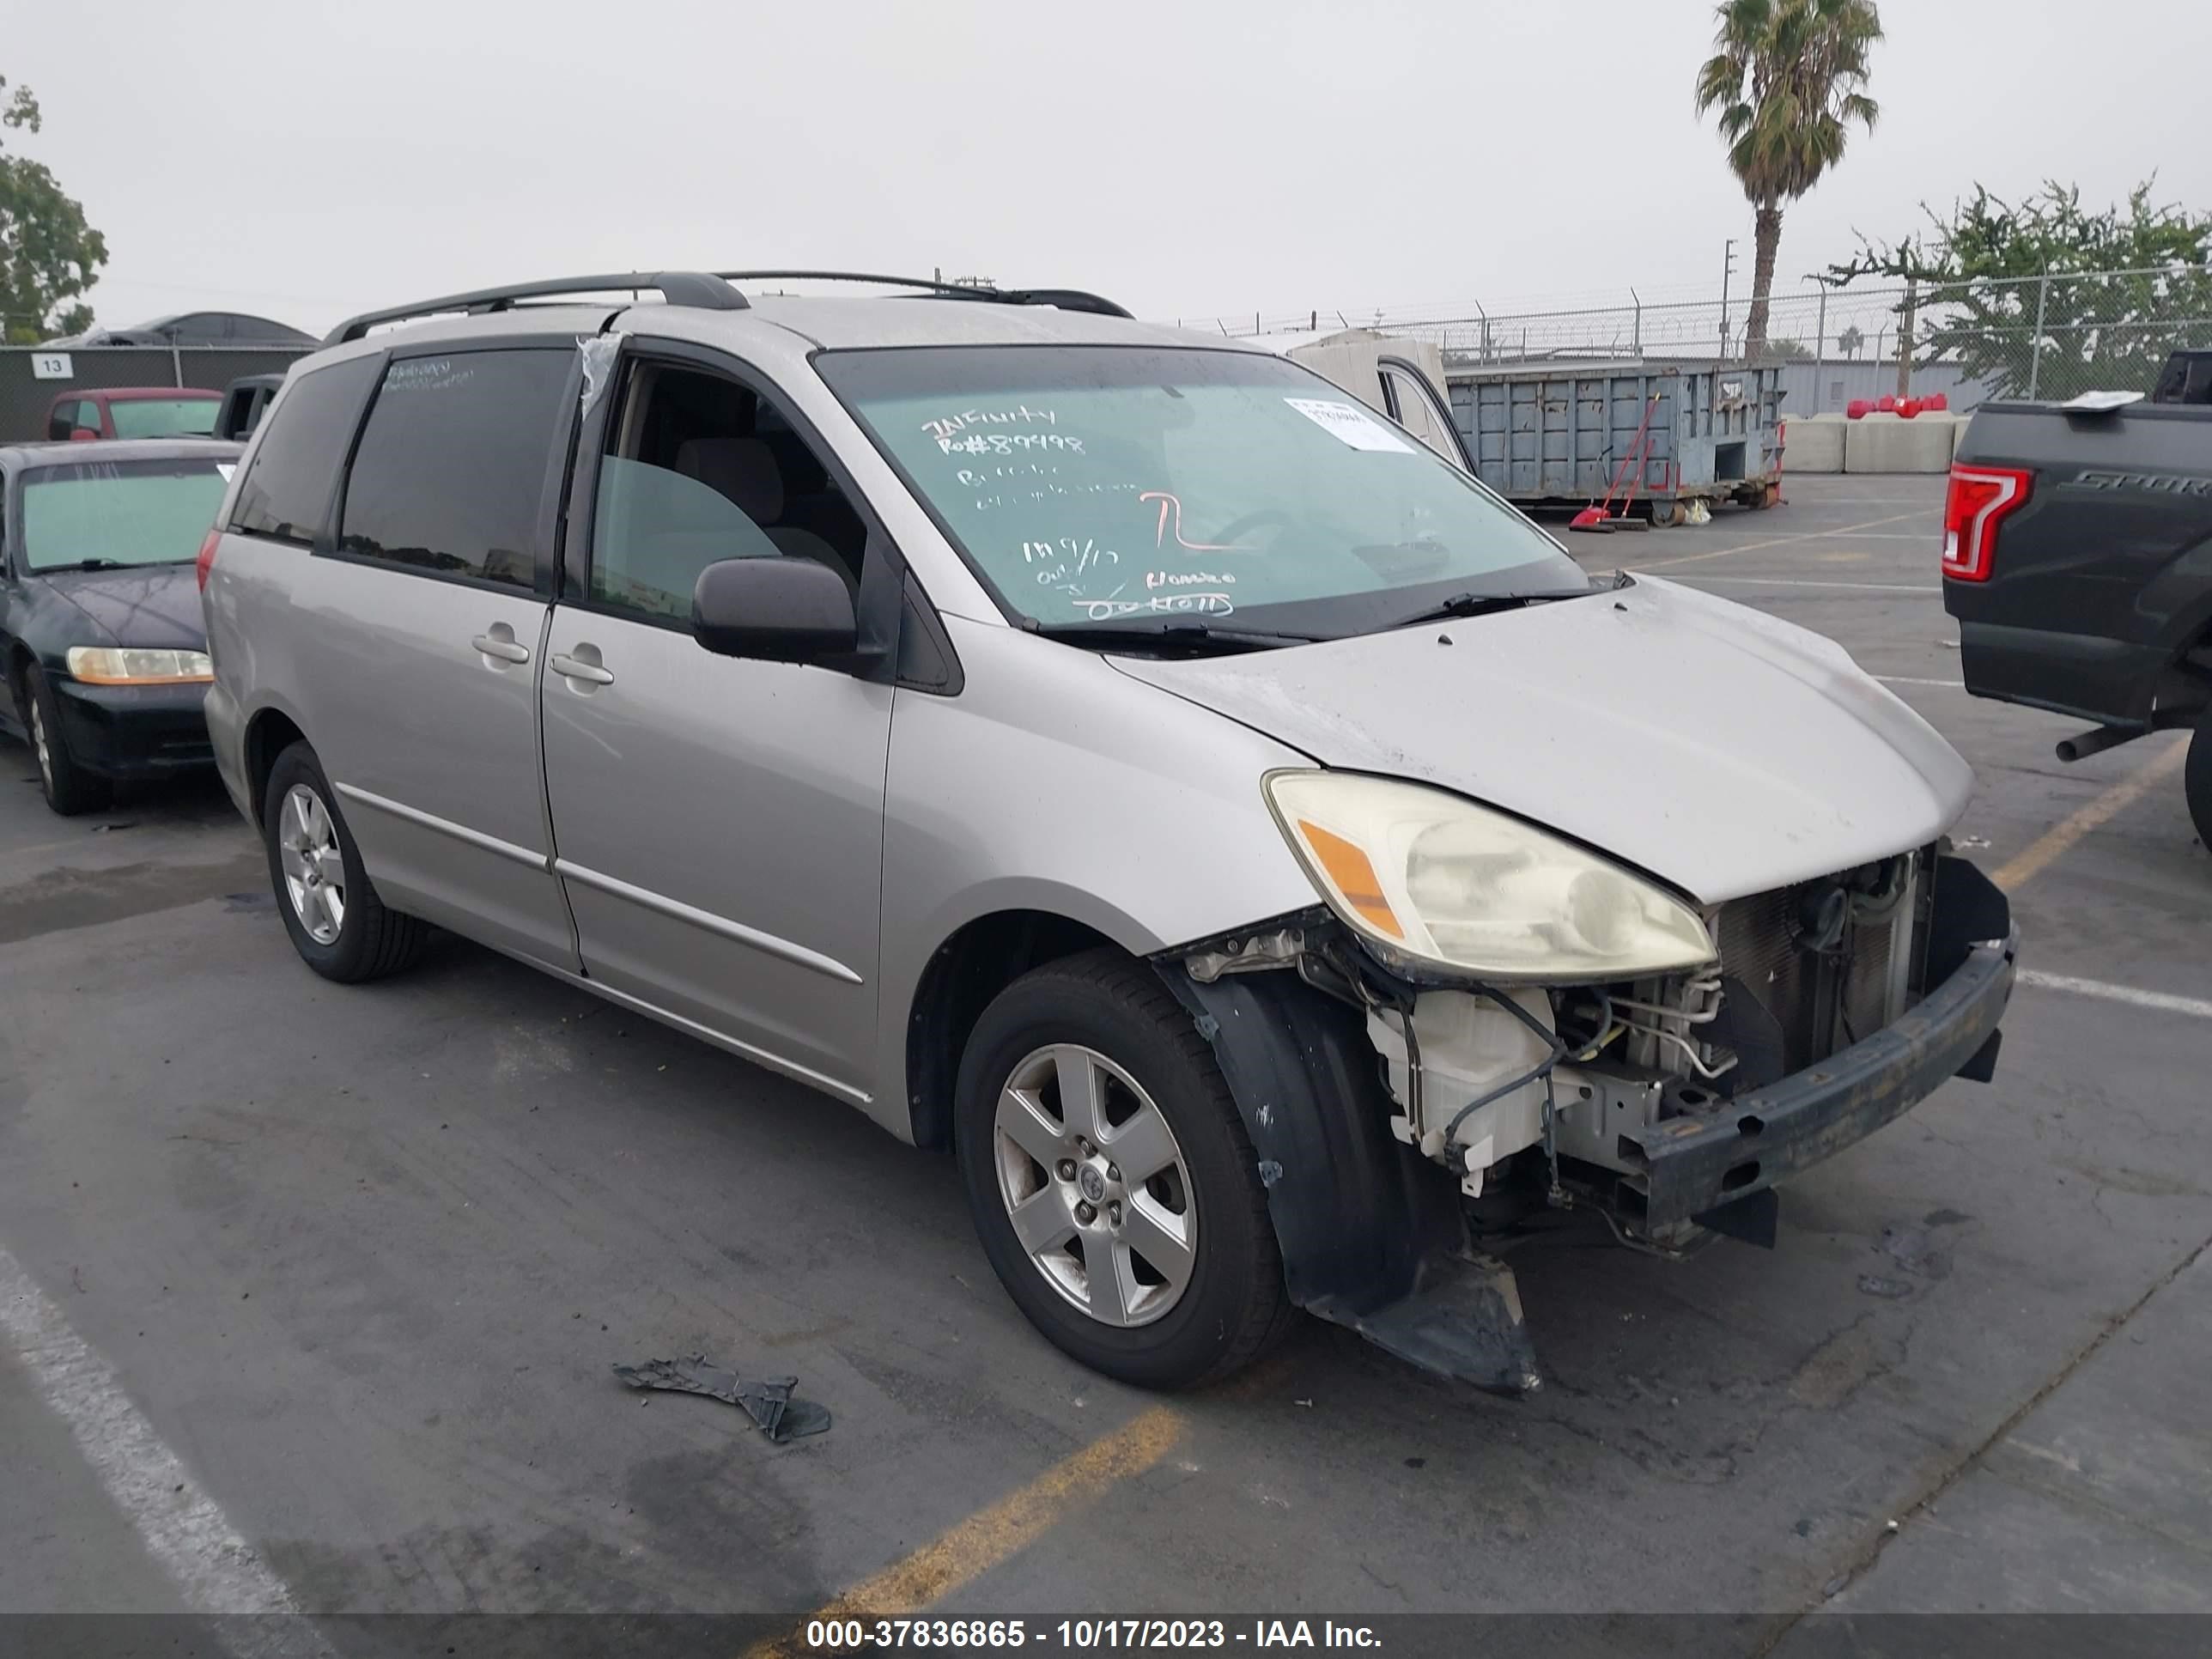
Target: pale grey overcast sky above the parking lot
1187	158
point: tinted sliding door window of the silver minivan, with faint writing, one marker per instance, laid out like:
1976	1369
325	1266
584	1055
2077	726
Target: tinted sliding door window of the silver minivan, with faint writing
452	466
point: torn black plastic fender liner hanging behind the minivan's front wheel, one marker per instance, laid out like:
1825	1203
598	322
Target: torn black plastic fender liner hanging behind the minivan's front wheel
1370	1233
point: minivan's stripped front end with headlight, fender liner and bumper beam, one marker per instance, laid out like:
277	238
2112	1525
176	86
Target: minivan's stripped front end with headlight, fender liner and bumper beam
1485	1023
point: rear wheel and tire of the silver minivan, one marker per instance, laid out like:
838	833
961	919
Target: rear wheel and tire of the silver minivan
326	899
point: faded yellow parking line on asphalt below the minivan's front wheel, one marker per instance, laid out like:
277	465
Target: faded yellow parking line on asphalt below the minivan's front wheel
1005	1530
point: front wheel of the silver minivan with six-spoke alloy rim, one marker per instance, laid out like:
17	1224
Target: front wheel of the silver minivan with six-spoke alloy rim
1112	1180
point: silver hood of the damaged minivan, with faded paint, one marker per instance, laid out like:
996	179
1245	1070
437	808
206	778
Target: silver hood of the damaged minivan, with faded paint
1698	740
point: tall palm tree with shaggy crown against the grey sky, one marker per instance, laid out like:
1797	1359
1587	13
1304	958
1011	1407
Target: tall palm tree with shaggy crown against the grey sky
1786	79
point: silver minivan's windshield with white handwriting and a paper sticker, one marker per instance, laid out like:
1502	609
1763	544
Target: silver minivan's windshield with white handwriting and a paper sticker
1151	488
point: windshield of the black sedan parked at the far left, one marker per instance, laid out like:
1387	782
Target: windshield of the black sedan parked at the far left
121	512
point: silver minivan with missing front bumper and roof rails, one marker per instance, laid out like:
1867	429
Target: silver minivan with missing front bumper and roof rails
1116	755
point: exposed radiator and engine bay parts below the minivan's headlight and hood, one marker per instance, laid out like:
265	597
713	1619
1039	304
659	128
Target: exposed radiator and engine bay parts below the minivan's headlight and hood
1554	1094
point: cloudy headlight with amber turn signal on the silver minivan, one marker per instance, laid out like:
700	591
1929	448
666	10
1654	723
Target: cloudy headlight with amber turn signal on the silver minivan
1432	879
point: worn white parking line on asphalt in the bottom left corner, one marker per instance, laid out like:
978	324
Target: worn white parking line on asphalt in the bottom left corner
180	1525
